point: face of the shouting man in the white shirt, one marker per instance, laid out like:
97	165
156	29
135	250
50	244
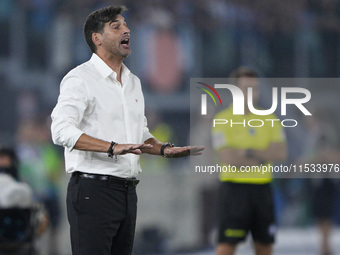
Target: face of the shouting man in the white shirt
116	38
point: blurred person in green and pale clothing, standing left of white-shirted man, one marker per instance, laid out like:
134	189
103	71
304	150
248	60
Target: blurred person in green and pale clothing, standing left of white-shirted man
41	169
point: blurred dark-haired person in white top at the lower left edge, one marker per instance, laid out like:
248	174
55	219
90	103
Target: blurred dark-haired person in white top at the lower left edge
17	195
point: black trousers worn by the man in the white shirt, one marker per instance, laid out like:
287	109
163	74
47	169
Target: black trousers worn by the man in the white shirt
102	216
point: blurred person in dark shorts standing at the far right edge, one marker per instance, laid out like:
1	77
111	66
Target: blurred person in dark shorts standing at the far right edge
321	148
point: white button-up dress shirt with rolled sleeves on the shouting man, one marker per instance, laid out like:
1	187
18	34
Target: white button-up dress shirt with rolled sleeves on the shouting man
94	102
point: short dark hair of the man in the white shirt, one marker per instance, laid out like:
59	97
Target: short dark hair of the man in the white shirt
95	22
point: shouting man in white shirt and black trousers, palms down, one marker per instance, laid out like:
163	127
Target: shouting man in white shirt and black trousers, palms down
99	119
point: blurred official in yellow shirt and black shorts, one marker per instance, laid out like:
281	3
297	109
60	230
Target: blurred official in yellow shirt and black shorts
246	199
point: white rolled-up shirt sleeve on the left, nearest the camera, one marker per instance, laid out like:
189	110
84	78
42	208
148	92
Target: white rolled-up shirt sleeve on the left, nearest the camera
69	112
